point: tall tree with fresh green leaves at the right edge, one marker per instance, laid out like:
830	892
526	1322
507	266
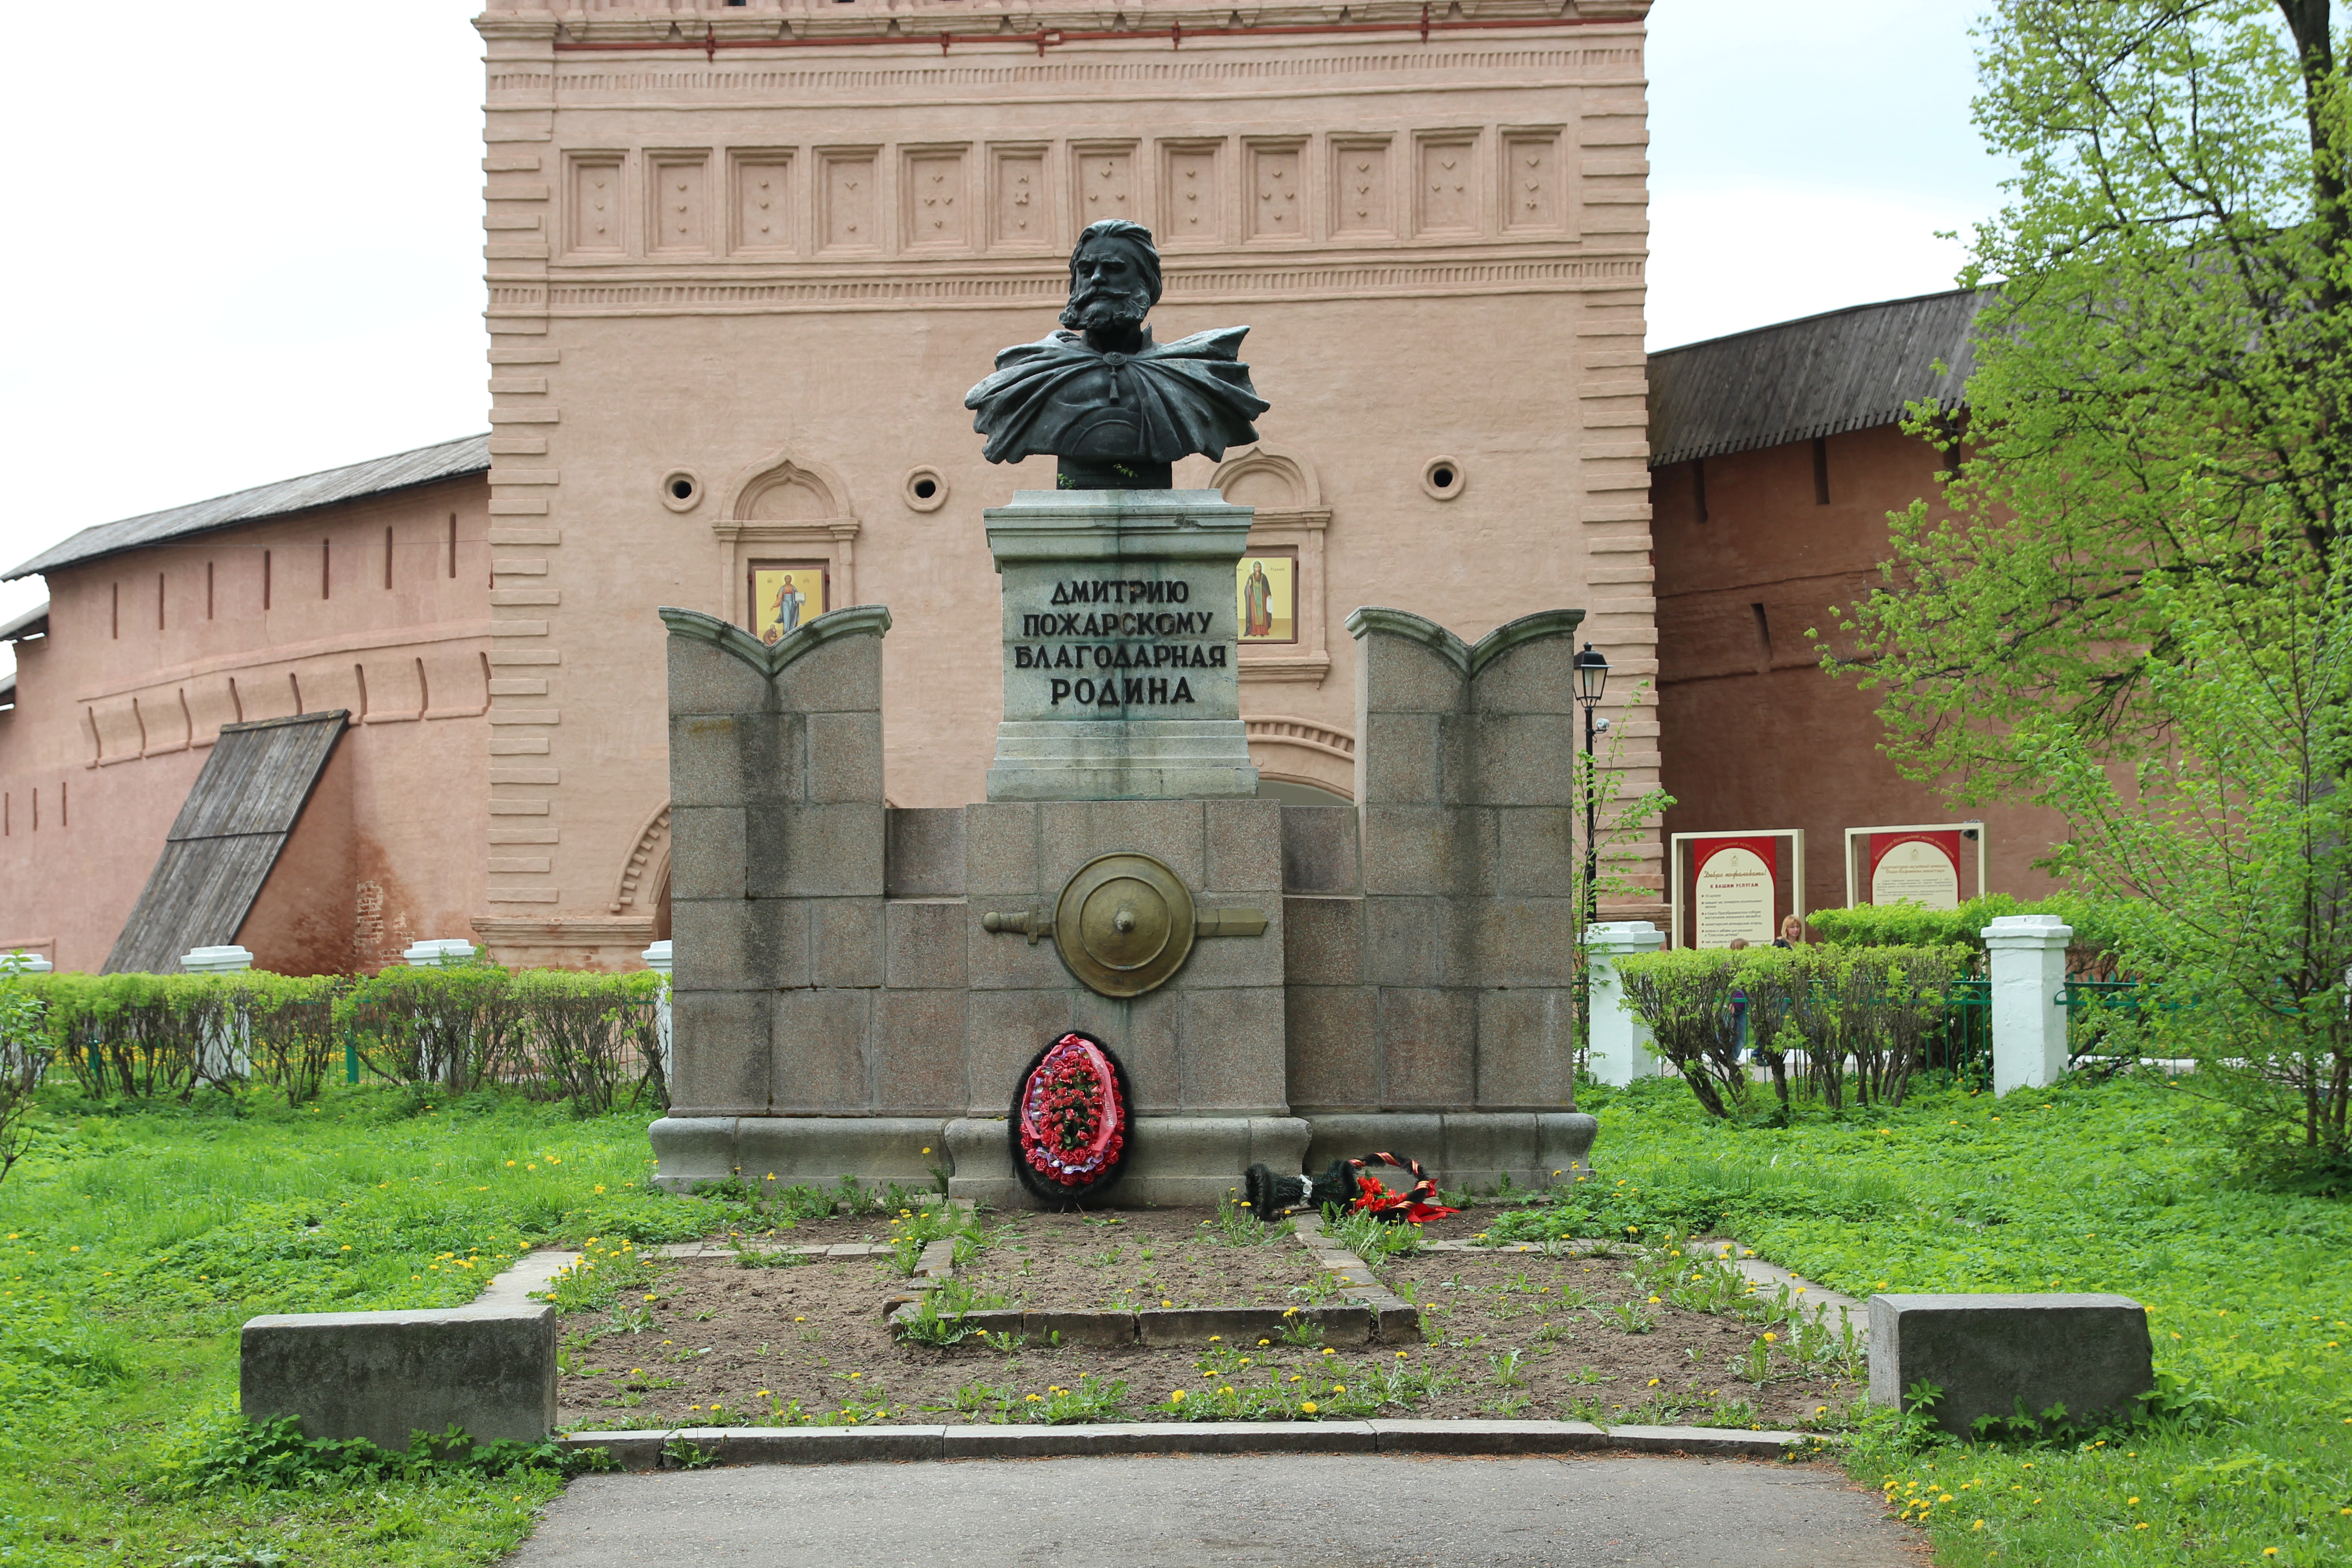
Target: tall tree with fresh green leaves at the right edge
2137	601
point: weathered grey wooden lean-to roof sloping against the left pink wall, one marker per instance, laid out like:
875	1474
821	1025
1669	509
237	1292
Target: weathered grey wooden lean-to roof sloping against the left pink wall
227	840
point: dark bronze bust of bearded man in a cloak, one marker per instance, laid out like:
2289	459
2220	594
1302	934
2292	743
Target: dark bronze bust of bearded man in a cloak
1109	403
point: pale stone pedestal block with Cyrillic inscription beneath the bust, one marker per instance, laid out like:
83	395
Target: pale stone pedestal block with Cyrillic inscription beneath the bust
1121	678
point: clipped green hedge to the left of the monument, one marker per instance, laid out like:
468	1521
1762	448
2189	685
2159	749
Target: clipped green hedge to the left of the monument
554	1036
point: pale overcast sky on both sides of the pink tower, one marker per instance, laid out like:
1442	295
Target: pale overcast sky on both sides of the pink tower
258	250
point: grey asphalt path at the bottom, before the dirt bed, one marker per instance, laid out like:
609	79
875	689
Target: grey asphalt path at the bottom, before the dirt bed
1243	1510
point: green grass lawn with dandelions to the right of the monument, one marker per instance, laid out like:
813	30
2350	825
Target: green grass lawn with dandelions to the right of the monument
2085	1188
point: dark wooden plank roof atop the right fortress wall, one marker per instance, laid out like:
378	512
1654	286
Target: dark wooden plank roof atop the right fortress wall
1822	375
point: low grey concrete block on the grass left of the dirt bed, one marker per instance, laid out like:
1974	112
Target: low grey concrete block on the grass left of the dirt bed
389	1374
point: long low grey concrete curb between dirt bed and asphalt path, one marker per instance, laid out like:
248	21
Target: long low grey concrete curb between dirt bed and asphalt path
904	1445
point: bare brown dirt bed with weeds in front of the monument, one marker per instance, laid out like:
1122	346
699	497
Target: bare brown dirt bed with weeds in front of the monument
1511	1336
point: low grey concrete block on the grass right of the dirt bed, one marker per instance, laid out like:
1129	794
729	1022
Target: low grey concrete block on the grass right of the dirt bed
1986	1353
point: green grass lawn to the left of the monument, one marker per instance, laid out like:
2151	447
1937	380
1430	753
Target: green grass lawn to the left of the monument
133	1245
